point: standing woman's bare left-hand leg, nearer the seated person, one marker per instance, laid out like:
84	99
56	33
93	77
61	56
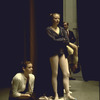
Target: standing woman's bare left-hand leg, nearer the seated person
54	67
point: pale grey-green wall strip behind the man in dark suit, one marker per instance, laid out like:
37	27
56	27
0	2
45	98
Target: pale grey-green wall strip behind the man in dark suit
70	16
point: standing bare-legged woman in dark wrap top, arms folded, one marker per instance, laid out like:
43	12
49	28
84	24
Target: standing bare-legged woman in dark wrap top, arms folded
57	51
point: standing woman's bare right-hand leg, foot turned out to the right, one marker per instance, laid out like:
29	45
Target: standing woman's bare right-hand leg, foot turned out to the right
65	70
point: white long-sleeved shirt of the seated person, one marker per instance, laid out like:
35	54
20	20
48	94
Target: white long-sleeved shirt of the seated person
19	84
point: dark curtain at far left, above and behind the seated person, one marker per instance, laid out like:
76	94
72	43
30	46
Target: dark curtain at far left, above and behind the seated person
14	42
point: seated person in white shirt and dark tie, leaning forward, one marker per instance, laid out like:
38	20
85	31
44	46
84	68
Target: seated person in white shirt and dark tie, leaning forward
22	84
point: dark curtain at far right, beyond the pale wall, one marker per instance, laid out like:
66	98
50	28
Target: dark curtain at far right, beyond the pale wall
88	25
